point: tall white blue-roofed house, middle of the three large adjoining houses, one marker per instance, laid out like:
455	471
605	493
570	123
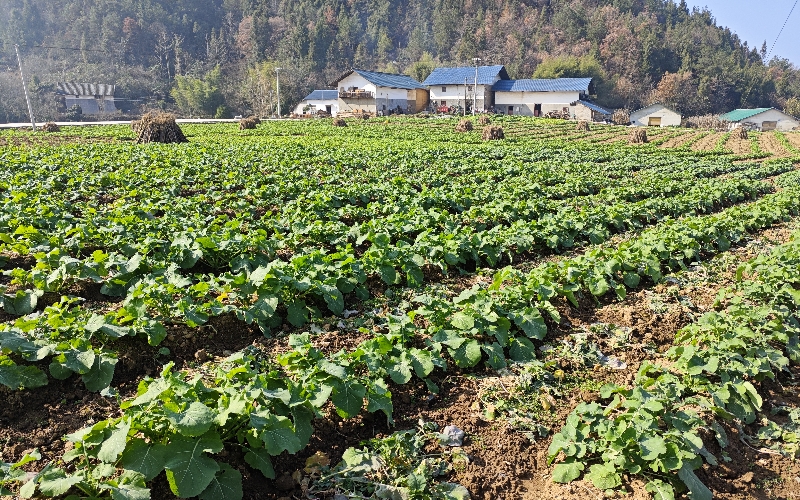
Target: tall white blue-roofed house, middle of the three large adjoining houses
460	87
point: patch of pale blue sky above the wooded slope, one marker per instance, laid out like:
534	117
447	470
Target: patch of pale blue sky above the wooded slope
758	20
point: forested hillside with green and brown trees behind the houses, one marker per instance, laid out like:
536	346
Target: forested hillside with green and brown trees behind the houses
217	57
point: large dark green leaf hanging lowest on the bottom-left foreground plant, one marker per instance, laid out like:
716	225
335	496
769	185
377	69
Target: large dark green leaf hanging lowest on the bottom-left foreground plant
189	469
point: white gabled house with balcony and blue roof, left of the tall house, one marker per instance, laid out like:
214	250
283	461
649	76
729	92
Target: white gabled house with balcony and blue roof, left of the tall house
379	93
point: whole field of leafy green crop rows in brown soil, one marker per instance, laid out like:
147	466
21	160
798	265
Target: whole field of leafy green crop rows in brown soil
396	310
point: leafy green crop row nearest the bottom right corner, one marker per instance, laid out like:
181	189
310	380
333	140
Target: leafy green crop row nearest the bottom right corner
708	381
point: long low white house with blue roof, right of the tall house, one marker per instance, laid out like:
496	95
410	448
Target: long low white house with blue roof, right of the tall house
541	96
